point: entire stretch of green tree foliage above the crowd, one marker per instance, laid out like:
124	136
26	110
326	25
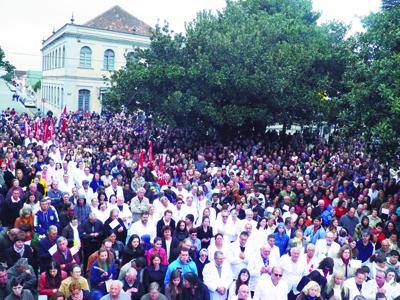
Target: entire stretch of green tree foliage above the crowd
261	62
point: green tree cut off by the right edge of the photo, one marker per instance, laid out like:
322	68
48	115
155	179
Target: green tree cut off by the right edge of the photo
371	105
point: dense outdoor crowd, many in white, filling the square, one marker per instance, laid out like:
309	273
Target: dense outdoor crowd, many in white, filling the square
114	207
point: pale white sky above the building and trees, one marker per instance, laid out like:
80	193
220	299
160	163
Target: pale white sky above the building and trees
25	23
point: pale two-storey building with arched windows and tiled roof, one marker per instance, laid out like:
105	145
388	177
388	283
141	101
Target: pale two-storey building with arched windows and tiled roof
76	58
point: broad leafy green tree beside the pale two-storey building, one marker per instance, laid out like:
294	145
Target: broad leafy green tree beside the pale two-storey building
256	63
